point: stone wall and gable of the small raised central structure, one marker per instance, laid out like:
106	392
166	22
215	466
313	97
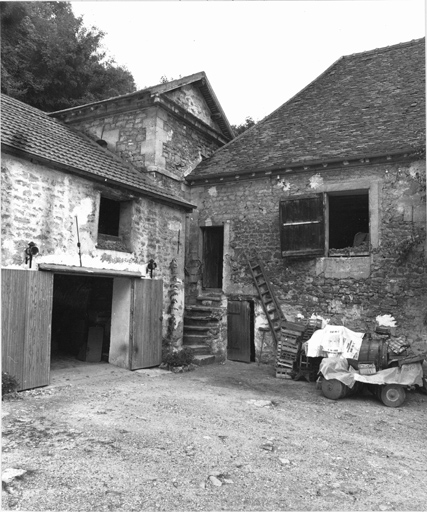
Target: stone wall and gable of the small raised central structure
154	140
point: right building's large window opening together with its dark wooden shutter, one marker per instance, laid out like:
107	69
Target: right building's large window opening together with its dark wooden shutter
333	223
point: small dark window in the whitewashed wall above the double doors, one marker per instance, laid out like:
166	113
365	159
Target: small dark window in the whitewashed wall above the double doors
114	224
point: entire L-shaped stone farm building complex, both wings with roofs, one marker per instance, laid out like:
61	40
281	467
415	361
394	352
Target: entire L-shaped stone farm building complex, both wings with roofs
328	193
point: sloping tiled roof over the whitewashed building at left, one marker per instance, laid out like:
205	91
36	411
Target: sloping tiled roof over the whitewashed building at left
27	129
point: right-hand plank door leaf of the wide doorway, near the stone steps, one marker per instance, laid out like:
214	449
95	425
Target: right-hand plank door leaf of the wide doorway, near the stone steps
147	313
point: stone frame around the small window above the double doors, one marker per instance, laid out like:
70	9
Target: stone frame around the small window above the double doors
122	242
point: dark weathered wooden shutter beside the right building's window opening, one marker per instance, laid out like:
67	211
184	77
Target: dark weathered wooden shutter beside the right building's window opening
302	226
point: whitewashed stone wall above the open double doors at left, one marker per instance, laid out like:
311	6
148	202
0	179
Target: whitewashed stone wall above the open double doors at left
40	204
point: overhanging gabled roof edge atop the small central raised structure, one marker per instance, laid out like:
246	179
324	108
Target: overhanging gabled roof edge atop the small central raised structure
199	80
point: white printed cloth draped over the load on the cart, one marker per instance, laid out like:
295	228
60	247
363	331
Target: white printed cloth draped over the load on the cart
334	340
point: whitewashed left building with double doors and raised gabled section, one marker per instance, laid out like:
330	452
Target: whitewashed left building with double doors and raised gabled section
110	177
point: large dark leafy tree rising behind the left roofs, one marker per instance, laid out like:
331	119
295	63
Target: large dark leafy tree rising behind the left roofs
51	61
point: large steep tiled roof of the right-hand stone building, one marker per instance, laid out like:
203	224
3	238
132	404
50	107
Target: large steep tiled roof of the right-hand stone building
370	103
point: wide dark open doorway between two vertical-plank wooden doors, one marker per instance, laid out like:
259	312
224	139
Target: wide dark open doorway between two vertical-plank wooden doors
81	318
